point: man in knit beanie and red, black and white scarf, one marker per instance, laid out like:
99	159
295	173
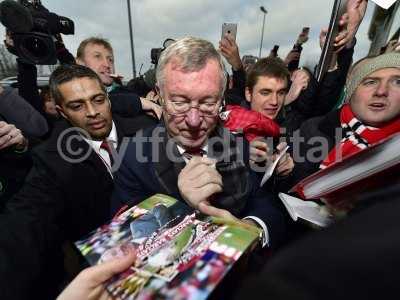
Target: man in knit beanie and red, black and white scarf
372	113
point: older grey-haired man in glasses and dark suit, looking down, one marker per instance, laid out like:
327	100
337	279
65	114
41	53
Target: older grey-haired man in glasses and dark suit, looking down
190	156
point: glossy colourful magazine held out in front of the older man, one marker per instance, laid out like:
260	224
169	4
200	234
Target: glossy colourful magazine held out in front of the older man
181	253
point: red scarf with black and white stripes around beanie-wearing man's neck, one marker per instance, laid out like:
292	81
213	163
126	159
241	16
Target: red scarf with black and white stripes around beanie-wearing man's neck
357	136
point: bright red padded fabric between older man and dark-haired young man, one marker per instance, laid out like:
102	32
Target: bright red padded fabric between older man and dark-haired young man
253	124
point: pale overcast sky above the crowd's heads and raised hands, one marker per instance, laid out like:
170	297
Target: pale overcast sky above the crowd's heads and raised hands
155	20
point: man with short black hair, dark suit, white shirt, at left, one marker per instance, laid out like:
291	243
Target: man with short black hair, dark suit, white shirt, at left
66	194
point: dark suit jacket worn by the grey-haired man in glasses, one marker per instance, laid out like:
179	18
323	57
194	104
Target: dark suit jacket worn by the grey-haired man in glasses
146	169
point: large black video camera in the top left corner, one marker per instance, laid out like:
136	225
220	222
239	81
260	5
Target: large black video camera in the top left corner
33	28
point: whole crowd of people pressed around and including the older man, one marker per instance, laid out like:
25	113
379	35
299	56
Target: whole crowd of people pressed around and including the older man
78	152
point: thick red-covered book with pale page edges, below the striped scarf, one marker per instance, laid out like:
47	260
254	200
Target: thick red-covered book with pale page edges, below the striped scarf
346	181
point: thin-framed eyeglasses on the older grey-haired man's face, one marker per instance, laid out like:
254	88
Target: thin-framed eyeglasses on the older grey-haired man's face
180	108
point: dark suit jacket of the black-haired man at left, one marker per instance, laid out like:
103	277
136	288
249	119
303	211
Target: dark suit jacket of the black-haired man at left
59	201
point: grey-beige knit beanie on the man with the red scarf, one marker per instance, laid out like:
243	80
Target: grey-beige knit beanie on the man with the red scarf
368	66
